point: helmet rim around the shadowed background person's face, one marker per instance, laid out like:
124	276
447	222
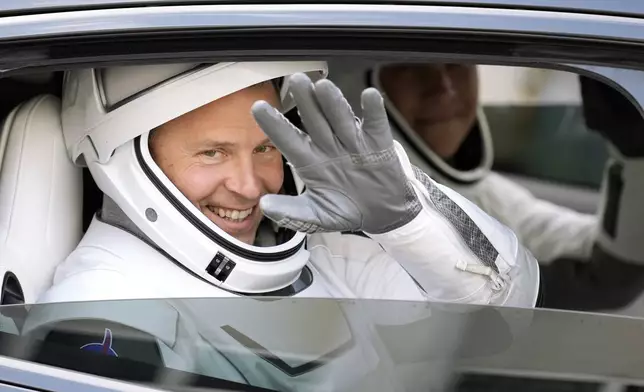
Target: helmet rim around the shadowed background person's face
471	163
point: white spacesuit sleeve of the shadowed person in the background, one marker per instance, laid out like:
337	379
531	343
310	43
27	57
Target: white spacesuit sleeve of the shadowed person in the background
548	230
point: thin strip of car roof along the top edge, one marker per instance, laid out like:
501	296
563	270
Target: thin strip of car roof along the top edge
606	7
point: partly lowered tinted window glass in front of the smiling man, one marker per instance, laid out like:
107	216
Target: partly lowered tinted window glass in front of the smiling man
251	344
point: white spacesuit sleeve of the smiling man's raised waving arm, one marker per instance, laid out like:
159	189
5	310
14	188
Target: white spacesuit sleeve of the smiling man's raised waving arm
458	253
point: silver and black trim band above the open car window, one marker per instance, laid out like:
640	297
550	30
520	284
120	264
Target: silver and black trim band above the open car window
208	31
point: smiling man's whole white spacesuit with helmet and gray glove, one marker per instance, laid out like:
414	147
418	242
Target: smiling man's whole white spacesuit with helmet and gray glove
395	233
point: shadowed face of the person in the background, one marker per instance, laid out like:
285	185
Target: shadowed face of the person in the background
438	101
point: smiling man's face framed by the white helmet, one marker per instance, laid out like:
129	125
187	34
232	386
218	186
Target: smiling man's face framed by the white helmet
221	160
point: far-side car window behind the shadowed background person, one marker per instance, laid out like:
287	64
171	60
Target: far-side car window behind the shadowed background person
538	127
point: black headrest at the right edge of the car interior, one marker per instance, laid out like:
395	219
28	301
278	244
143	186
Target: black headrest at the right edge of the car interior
614	116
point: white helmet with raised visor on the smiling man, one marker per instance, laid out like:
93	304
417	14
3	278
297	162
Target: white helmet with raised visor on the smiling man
107	116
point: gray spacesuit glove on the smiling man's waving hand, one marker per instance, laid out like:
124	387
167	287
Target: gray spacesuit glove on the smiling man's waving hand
354	180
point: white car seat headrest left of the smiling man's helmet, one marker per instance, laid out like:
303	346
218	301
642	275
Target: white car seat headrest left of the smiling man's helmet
40	196
